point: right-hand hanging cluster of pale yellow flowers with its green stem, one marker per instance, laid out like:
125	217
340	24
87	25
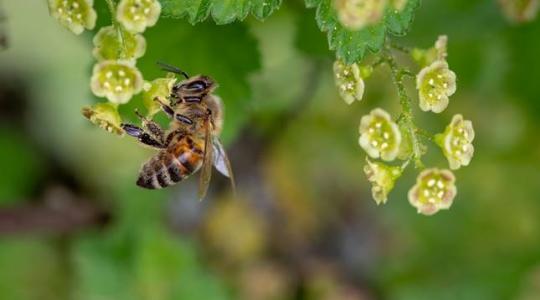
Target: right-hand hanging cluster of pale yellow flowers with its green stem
383	138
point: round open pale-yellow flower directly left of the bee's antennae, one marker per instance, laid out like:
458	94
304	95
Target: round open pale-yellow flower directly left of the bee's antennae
116	80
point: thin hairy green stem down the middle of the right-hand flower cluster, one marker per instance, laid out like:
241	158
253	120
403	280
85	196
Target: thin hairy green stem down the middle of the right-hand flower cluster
406	116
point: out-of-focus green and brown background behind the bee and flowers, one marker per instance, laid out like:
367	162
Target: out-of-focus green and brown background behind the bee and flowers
73	225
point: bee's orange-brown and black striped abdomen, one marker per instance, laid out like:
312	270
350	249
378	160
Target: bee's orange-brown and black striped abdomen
171	166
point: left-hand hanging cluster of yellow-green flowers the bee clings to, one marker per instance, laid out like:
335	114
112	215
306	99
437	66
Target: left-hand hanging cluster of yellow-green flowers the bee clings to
116	49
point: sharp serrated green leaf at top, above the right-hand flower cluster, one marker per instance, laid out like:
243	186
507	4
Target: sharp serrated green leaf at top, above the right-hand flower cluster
352	46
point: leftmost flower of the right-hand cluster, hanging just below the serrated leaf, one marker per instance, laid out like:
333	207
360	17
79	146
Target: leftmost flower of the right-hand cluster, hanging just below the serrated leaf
349	81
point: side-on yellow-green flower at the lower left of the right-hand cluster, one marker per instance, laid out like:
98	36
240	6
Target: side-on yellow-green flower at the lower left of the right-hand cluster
382	178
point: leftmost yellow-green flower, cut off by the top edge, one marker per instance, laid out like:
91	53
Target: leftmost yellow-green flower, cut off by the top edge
76	15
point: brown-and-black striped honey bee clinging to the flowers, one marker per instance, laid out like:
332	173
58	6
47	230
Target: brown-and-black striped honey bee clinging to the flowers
192	141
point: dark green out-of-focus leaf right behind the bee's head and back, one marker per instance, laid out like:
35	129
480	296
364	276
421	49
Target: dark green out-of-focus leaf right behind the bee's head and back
226	53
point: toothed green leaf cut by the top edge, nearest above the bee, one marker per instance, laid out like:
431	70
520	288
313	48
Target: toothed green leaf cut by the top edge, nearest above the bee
222	11
